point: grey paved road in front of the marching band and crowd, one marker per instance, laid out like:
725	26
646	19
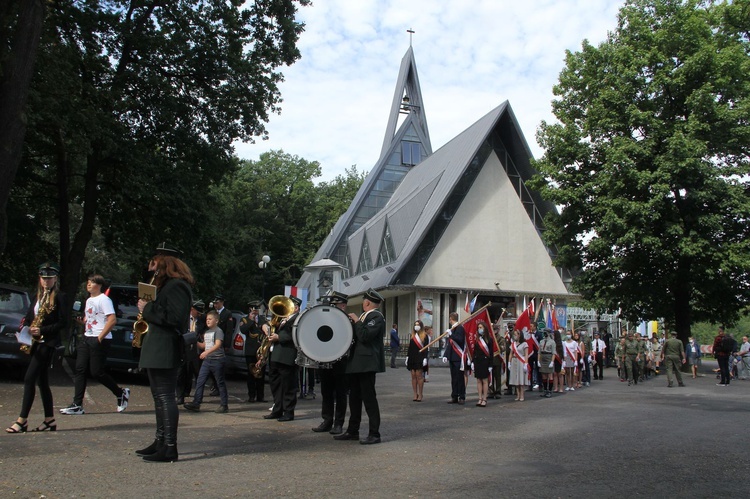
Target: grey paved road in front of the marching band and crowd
608	440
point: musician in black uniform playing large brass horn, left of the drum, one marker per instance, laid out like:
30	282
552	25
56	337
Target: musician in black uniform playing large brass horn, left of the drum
282	374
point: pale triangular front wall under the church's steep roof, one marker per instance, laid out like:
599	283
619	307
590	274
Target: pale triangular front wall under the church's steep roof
491	239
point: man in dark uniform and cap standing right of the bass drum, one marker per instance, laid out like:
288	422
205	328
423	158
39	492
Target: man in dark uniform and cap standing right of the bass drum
367	359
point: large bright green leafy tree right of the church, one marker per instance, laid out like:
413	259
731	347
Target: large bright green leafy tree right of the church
649	163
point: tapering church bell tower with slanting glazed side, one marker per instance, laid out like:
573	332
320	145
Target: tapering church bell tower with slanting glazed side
407	108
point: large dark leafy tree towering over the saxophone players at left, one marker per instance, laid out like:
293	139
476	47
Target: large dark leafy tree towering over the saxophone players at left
133	111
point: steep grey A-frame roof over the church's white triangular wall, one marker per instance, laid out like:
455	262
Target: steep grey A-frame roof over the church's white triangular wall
425	202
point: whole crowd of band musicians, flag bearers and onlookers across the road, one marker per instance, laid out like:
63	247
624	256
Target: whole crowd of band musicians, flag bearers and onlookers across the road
185	343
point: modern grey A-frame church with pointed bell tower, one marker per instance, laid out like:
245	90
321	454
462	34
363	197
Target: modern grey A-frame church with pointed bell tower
432	231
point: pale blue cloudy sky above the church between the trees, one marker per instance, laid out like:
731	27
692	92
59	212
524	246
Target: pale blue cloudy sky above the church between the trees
471	56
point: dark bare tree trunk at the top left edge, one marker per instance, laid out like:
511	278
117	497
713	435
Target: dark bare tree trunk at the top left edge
15	79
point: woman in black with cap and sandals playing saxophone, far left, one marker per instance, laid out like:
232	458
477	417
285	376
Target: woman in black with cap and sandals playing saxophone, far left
50	311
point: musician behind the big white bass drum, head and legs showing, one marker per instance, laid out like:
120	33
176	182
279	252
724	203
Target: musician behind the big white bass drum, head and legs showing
333	385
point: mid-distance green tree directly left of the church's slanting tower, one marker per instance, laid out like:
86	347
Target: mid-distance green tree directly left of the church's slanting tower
274	207
